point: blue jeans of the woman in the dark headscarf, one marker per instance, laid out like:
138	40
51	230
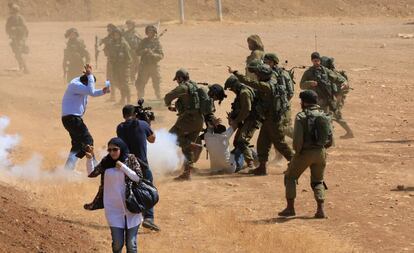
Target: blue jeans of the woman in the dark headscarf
118	237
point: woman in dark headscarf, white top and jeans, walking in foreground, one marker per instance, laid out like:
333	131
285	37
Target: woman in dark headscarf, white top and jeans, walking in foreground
117	168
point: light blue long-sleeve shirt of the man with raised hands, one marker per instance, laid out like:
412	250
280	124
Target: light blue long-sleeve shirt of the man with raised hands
76	96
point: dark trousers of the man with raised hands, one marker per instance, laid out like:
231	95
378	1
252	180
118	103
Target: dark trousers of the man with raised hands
79	134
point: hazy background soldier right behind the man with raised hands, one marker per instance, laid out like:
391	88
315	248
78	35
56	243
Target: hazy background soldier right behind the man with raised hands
75	55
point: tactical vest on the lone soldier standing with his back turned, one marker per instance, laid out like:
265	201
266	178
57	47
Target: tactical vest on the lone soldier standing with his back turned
317	129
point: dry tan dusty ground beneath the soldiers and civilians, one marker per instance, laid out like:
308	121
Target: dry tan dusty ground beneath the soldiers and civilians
238	213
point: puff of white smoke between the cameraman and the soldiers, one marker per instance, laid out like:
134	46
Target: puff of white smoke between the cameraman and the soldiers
163	155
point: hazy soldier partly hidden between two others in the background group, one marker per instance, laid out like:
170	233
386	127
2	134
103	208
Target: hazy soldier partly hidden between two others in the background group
133	39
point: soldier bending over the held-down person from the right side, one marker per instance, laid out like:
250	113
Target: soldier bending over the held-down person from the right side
243	117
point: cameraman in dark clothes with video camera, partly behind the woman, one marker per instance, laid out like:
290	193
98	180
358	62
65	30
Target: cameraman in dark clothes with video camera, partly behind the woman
135	131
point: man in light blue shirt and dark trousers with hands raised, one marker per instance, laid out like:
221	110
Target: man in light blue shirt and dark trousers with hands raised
74	104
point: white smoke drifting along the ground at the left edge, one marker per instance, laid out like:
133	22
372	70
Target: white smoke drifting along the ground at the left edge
30	170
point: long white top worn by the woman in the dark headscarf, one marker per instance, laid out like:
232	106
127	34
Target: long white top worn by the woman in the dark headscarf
114	196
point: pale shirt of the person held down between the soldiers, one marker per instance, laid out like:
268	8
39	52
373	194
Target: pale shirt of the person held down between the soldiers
219	151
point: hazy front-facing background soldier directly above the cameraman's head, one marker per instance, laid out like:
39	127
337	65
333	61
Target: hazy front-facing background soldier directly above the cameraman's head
119	57
